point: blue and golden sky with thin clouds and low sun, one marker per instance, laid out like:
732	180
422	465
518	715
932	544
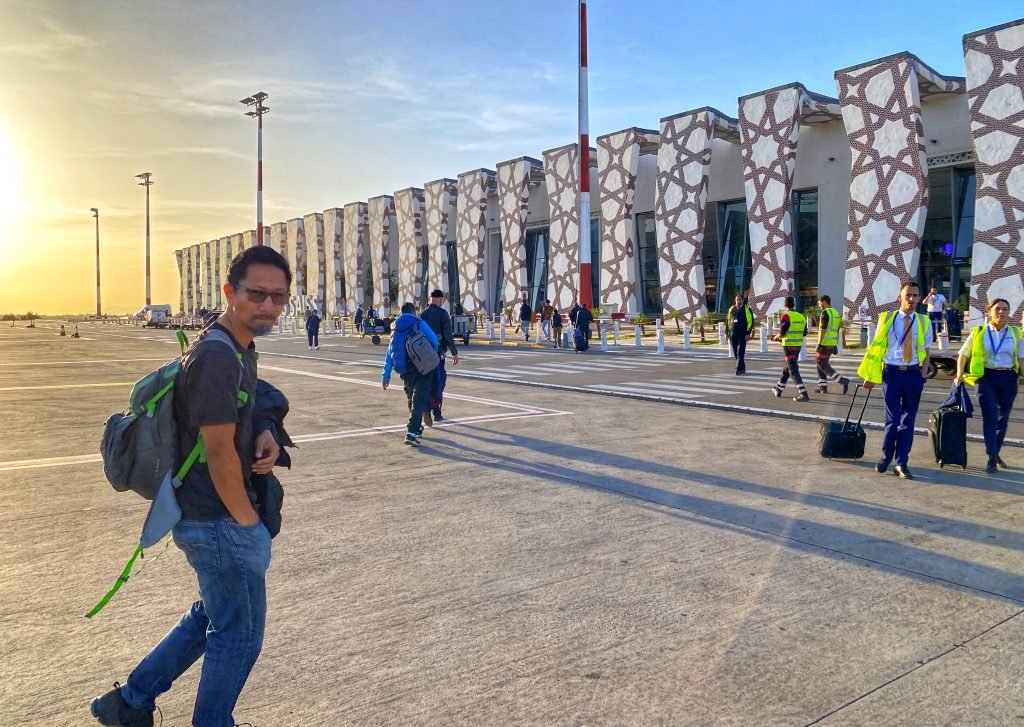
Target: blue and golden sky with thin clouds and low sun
366	99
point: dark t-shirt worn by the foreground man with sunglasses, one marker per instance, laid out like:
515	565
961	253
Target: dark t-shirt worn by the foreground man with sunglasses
207	394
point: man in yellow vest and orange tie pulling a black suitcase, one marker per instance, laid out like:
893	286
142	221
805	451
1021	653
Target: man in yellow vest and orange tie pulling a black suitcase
898	359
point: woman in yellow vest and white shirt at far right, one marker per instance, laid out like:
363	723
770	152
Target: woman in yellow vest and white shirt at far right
996	368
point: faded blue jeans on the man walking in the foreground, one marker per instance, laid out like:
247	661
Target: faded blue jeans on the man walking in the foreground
226	624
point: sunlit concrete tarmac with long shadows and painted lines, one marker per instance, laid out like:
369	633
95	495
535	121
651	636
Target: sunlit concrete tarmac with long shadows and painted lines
550	557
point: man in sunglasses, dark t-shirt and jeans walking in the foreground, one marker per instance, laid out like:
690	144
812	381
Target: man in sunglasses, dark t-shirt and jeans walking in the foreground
221	532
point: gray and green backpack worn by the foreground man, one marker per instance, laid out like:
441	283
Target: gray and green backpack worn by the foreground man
140	445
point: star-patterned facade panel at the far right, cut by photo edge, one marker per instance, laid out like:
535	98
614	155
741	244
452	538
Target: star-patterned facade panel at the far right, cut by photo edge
995	61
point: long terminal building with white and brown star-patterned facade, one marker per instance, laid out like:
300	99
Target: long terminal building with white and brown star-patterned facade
901	173
